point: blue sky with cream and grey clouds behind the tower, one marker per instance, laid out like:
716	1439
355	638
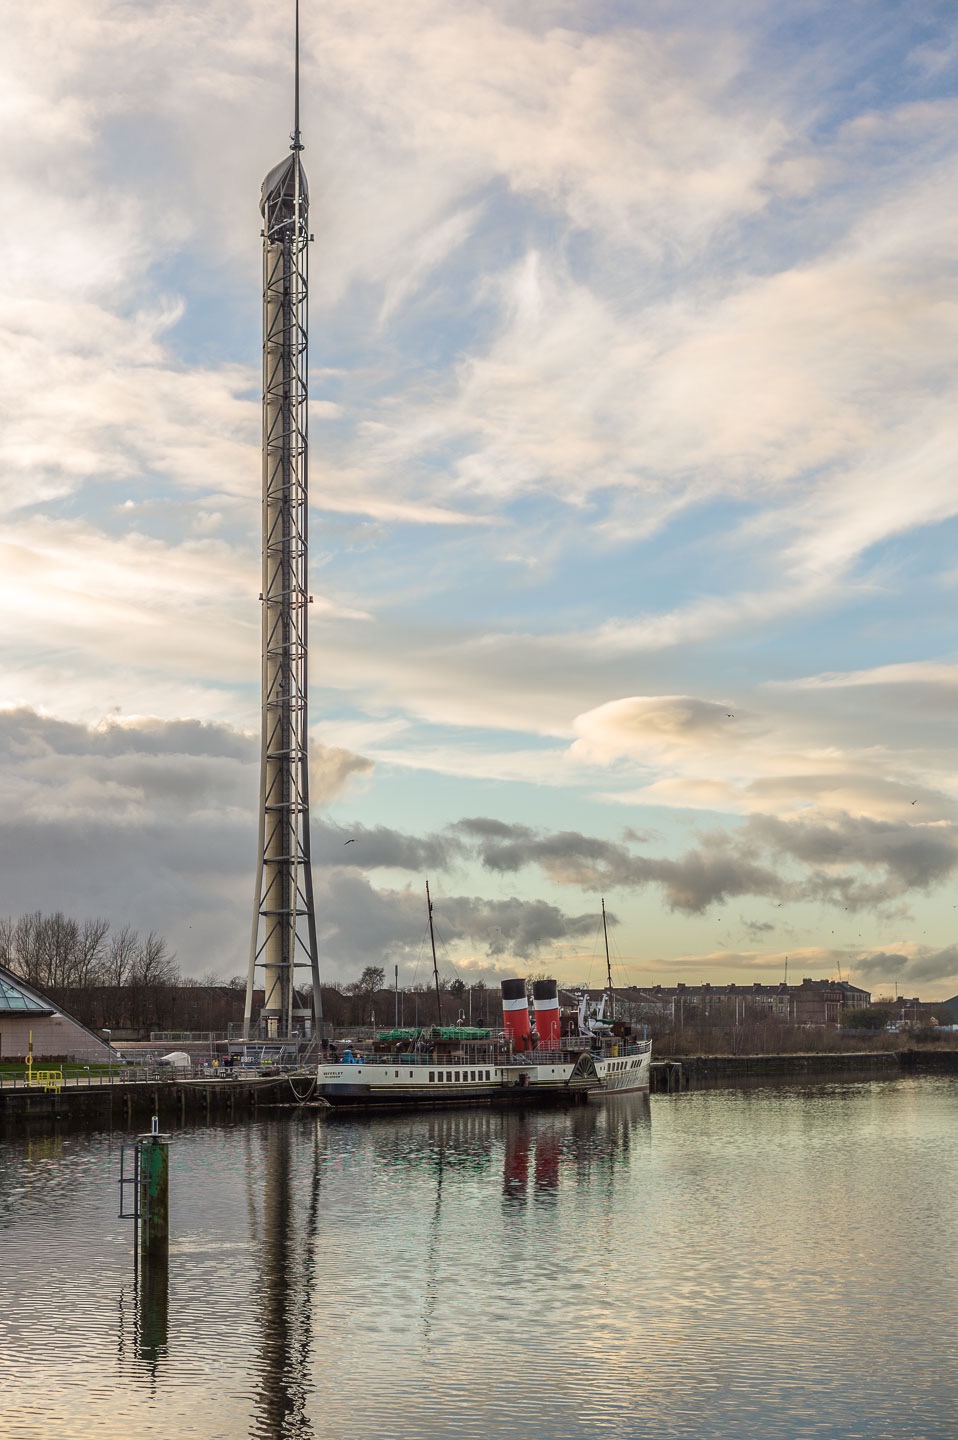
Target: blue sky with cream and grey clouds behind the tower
635	492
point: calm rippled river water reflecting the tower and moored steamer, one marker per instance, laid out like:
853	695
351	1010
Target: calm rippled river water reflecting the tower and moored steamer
738	1264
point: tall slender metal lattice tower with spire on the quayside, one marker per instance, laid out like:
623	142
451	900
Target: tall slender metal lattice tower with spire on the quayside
285	921
